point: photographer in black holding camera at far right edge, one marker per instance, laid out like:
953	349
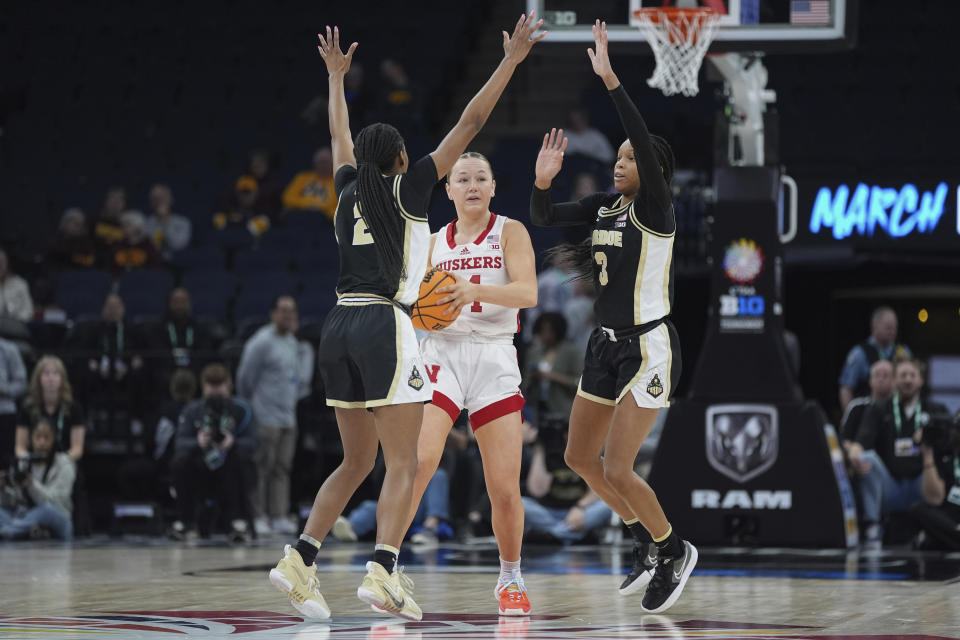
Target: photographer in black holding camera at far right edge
938	513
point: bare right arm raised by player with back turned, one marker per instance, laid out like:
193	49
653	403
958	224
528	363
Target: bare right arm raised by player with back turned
515	49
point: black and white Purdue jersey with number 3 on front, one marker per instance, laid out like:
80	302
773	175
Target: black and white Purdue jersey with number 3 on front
632	267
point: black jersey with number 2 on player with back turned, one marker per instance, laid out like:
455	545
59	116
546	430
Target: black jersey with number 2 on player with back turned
359	263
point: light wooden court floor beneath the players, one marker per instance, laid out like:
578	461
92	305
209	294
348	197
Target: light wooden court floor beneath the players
151	590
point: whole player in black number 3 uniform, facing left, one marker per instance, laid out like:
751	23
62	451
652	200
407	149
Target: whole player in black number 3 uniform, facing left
632	360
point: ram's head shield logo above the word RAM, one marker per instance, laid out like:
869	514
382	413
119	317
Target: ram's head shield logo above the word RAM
742	439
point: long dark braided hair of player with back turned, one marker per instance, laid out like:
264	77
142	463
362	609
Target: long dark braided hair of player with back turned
376	148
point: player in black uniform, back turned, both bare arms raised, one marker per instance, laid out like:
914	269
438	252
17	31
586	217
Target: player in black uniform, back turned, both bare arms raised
368	355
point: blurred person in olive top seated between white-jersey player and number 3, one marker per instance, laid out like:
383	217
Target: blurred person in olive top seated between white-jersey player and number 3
553	368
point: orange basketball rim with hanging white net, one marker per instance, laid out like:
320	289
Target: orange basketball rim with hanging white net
679	39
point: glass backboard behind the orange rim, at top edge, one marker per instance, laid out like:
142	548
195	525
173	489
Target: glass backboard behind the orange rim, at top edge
775	26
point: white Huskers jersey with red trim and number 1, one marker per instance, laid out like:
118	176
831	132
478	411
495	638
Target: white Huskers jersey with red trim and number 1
480	261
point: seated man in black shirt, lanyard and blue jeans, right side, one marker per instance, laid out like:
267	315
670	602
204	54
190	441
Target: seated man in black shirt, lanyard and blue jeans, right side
885	453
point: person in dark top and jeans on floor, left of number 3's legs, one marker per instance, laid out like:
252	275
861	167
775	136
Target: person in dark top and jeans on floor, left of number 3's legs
559	502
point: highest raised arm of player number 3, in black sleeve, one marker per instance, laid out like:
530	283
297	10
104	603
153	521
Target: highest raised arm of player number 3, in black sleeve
648	167
